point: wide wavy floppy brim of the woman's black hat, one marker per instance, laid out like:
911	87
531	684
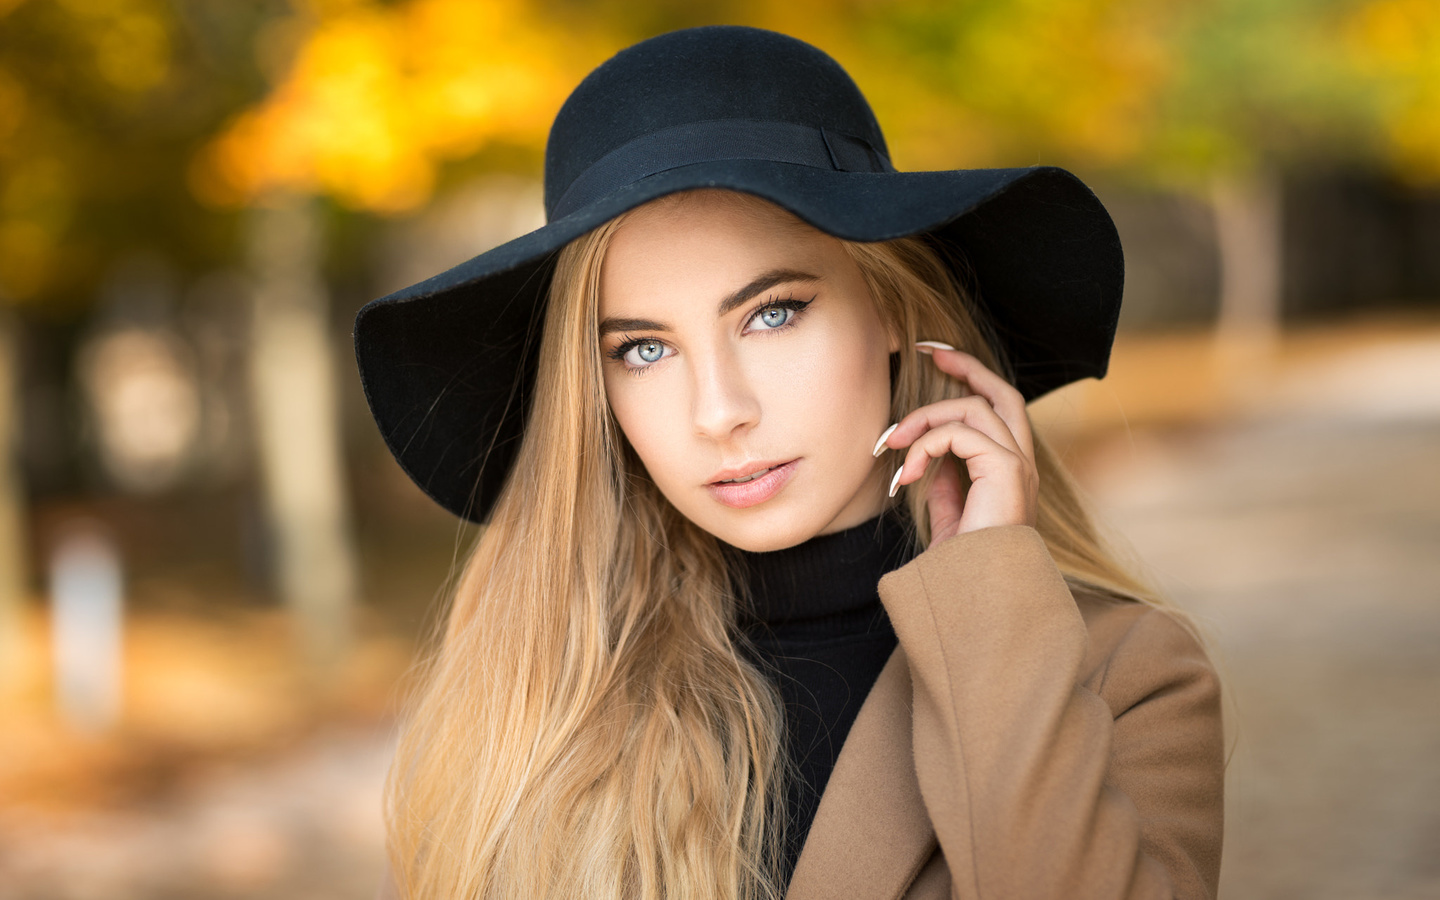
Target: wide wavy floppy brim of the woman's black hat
449	364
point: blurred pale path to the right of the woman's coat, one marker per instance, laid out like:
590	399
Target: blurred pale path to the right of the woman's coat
1308	542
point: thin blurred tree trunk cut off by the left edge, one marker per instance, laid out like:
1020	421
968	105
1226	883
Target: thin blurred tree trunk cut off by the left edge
12	516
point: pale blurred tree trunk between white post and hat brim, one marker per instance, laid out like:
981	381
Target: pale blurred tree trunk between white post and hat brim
297	418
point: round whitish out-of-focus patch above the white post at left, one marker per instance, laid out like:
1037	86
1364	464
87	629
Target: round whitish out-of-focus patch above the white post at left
146	405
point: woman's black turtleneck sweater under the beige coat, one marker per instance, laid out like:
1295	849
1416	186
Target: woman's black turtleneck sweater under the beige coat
820	633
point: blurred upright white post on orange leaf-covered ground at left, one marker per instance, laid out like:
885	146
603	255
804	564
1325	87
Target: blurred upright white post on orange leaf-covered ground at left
87	600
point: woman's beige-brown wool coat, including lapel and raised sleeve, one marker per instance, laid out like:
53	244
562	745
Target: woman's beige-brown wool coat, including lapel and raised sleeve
1023	742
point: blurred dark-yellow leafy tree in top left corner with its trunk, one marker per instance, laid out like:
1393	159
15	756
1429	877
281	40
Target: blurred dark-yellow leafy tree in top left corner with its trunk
102	104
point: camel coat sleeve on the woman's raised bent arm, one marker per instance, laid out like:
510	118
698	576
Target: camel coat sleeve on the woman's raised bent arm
1038	786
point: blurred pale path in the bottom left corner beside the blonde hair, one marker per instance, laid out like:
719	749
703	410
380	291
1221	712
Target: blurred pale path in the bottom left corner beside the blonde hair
305	826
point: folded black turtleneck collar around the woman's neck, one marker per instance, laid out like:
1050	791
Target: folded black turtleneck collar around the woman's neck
826	577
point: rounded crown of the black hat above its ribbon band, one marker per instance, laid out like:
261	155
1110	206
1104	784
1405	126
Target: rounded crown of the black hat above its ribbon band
701	76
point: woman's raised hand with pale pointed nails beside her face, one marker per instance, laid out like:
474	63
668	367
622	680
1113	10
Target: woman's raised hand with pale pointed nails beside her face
990	433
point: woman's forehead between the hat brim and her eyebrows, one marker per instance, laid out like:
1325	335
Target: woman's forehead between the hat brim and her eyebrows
705	246
